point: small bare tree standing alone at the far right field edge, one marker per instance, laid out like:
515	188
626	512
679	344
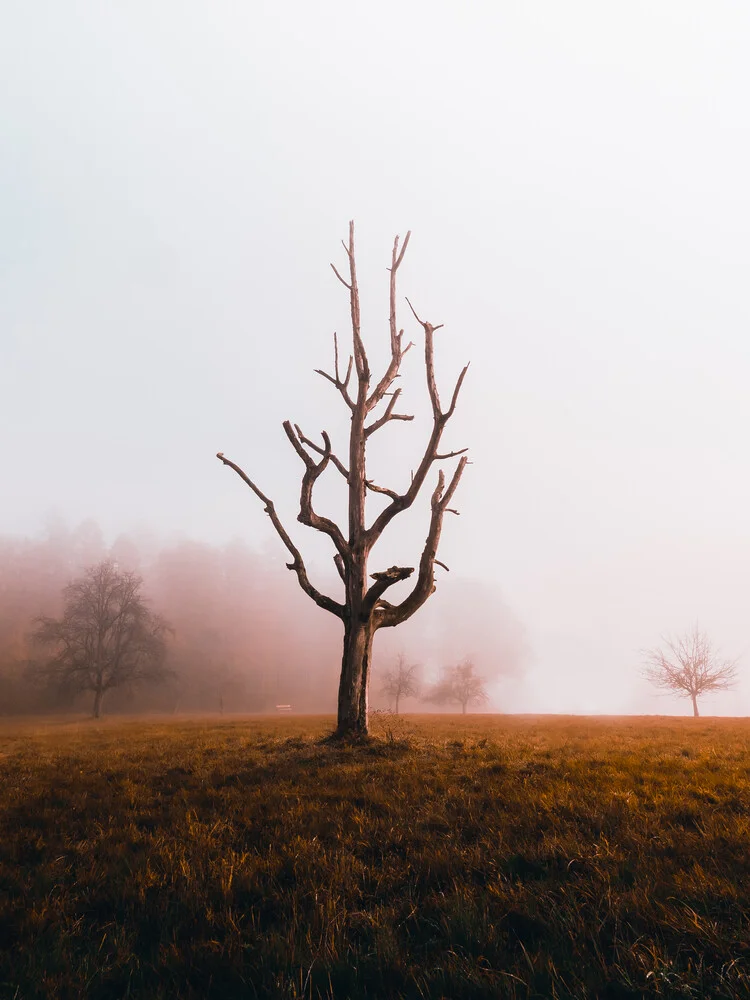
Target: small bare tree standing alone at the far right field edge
689	665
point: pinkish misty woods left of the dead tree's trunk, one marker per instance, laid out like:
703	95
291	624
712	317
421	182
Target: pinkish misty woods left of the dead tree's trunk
228	642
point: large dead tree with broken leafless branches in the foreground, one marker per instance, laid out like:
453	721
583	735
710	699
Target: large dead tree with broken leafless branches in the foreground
364	608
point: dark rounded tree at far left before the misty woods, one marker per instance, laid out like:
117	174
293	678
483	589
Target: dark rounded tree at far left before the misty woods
107	637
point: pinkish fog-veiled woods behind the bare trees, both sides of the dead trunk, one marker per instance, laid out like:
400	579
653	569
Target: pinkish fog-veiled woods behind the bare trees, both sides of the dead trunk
241	638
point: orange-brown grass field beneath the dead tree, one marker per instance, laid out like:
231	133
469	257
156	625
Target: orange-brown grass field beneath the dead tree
477	856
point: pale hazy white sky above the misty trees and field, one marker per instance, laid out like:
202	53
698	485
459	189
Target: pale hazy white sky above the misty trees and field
176	176
